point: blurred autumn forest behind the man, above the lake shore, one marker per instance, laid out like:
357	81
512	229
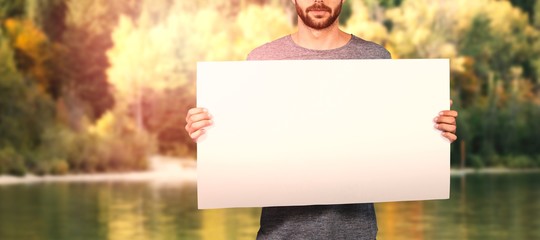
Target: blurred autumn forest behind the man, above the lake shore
98	86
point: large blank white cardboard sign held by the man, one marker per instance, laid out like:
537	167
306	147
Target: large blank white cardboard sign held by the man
322	132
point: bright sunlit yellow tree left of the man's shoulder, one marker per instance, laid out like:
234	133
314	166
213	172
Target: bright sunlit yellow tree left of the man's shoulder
153	62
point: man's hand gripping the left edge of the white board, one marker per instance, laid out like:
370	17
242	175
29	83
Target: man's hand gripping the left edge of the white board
197	120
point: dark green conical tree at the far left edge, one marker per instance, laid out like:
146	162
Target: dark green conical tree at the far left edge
25	111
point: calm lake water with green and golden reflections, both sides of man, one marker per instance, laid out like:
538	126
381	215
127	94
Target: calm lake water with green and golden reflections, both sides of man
499	206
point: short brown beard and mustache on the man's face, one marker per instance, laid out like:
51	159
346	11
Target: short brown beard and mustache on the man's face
312	22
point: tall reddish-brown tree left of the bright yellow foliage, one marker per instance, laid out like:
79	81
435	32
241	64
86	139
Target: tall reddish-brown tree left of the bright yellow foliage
83	58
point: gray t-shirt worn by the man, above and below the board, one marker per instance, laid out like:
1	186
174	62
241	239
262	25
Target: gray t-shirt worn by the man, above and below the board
350	221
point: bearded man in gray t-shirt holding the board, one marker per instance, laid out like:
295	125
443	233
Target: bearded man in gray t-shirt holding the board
318	37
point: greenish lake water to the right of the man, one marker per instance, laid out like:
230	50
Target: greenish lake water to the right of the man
499	206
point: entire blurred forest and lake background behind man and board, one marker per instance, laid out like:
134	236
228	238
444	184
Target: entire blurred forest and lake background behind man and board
93	95
